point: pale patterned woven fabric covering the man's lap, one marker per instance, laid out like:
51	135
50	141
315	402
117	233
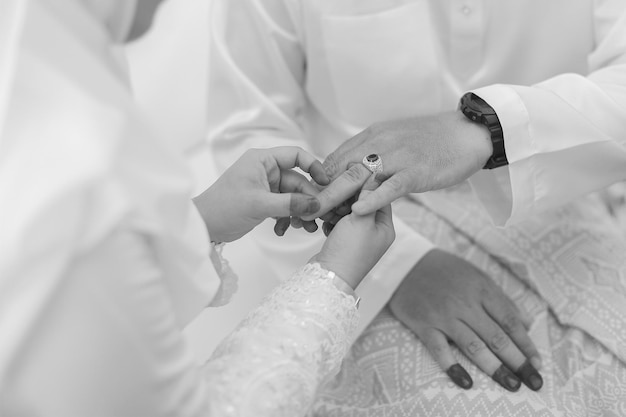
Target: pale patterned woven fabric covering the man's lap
567	269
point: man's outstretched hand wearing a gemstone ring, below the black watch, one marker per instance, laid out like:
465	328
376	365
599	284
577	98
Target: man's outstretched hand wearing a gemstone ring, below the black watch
418	154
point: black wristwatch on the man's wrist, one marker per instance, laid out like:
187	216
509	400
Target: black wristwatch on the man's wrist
477	110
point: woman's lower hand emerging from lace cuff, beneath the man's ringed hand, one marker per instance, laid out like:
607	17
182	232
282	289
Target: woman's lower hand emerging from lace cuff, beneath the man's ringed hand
356	243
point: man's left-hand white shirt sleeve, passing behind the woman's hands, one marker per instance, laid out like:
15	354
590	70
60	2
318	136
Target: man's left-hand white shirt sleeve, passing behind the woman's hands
257	98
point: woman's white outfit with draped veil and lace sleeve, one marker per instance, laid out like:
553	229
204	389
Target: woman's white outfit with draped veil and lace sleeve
105	260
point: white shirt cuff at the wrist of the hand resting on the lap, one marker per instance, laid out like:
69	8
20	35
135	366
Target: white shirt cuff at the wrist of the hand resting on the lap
378	286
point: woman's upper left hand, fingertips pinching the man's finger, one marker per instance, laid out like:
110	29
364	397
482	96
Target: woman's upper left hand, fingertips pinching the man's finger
260	184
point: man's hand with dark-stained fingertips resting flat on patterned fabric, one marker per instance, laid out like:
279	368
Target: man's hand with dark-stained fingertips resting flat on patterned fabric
445	298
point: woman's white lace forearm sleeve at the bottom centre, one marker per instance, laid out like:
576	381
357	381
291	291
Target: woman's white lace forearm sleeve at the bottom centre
272	364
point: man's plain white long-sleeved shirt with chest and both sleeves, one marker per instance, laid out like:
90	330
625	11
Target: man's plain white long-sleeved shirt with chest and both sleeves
314	73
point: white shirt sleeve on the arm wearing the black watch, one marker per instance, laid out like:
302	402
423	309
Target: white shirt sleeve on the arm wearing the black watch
565	136
